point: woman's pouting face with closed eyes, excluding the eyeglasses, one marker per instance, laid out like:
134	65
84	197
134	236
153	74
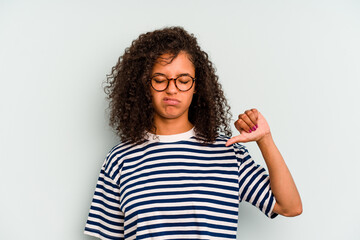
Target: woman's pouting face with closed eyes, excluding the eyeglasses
172	103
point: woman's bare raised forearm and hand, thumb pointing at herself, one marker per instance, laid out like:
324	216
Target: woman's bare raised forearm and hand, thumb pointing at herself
253	127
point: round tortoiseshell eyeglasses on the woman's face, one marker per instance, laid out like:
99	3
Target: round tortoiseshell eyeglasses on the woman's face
160	82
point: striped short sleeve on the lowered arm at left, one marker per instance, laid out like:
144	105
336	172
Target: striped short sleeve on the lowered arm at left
105	220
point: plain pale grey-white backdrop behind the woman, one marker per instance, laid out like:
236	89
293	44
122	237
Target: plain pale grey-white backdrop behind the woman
297	62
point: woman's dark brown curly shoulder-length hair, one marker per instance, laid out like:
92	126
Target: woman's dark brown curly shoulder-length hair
130	99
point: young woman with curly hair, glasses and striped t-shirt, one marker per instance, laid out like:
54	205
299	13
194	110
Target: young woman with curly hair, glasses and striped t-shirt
177	174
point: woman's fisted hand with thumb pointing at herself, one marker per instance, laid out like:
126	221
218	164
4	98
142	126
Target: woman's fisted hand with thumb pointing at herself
252	127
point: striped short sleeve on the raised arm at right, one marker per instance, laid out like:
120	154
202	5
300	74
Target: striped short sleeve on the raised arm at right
254	182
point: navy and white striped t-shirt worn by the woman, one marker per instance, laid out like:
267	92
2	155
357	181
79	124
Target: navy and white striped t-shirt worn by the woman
174	187
